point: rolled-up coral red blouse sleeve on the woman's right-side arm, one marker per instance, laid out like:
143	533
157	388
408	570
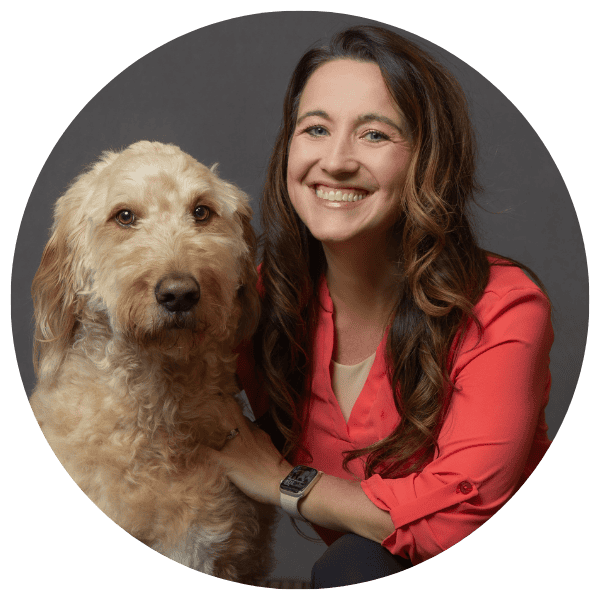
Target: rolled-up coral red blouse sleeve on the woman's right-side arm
494	427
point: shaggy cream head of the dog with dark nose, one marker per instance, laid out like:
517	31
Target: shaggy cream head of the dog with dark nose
153	245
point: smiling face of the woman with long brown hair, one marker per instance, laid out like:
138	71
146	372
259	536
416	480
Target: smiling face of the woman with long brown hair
347	156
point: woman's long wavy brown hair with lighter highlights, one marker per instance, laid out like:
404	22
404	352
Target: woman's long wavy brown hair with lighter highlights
442	270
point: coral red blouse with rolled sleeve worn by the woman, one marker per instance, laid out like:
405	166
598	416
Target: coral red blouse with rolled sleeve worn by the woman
492	439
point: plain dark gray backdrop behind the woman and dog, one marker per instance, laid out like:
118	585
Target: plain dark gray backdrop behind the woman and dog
217	93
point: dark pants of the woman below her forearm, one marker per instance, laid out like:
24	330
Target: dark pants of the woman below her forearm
353	559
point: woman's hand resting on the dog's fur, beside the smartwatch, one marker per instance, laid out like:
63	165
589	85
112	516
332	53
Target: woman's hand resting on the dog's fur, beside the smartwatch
250	460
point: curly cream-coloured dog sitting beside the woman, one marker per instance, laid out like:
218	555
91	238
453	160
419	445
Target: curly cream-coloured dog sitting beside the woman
145	288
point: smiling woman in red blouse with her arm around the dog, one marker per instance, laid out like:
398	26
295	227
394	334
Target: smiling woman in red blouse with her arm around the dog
394	354
